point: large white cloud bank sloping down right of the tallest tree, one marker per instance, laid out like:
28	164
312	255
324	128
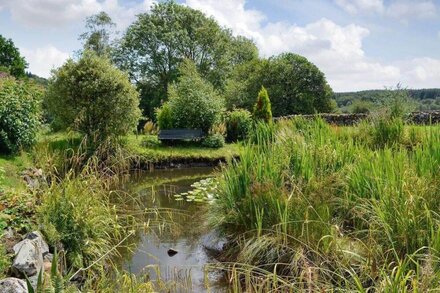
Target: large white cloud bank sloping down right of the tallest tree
335	49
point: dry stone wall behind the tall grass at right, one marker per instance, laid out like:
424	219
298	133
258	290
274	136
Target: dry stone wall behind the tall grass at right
351	119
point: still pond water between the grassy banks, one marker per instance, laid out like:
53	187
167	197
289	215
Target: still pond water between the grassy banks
174	226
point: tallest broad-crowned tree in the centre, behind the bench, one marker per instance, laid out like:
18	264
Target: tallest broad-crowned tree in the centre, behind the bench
155	45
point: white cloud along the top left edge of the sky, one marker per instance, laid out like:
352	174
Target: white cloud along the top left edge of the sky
57	13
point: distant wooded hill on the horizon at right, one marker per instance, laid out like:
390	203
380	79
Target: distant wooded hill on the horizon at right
425	99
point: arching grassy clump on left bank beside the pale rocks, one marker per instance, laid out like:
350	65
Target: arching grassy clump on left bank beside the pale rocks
77	214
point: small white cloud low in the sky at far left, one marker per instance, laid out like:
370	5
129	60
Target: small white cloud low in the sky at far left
43	60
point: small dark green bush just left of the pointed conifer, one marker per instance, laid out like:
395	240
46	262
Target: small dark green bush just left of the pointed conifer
238	125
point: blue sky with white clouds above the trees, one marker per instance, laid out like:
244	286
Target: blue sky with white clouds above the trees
358	44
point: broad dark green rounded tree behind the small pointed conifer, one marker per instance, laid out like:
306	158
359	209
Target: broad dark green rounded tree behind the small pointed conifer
295	85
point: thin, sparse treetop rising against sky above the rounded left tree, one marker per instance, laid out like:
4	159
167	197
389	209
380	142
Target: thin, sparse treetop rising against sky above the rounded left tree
97	37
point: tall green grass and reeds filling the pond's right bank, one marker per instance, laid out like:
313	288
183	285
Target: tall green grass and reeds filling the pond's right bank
321	207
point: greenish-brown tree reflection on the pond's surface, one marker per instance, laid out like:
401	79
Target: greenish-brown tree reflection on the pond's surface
149	198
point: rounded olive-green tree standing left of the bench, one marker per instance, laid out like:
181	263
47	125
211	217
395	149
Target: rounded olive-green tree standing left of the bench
94	97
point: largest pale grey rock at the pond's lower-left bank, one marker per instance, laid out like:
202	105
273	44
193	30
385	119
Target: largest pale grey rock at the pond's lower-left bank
29	254
